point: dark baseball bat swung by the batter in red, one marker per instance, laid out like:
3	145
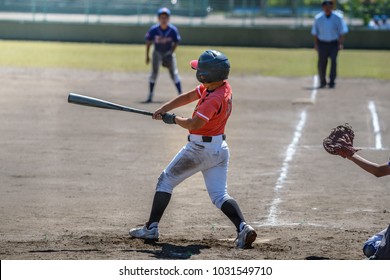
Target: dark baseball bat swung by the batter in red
99	103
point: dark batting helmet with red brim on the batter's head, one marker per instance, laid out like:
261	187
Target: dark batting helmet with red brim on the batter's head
212	66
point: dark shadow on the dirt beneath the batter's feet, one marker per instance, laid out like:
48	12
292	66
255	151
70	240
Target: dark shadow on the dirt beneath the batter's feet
170	251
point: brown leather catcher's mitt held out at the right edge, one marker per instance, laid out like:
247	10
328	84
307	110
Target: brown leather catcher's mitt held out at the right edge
340	141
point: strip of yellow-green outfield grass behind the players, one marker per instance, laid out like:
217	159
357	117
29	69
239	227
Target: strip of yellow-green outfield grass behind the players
244	61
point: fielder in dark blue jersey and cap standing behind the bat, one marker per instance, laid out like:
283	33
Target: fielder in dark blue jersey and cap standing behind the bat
165	38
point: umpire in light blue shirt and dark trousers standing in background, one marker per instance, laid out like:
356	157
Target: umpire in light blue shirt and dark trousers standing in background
328	31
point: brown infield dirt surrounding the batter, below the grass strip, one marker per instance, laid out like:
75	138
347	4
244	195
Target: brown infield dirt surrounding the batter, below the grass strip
75	179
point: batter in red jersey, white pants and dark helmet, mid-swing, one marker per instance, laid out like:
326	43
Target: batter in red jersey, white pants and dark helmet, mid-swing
206	150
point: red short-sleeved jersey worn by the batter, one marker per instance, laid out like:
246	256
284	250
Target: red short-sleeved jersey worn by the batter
214	107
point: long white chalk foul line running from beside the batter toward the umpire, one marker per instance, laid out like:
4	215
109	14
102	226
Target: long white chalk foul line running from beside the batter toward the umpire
289	155
